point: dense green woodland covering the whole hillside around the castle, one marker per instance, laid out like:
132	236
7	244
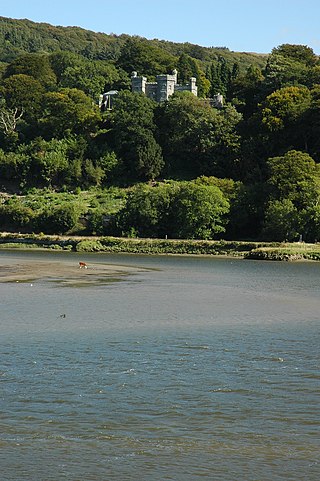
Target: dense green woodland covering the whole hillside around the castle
180	169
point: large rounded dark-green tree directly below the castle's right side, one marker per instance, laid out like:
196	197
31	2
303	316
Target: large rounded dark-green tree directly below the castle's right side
196	138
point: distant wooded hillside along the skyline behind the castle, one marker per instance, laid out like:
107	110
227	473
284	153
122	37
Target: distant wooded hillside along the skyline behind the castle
25	36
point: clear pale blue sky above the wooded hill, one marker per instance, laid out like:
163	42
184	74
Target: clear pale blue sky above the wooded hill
240	25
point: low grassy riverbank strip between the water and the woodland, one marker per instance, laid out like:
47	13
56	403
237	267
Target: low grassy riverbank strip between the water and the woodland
248	250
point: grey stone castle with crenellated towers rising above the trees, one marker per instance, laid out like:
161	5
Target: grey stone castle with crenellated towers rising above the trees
164	86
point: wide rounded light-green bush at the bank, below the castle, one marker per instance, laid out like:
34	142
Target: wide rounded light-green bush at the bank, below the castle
183	210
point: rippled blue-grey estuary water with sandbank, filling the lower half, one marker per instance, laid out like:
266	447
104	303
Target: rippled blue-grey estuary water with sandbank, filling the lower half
163	368
